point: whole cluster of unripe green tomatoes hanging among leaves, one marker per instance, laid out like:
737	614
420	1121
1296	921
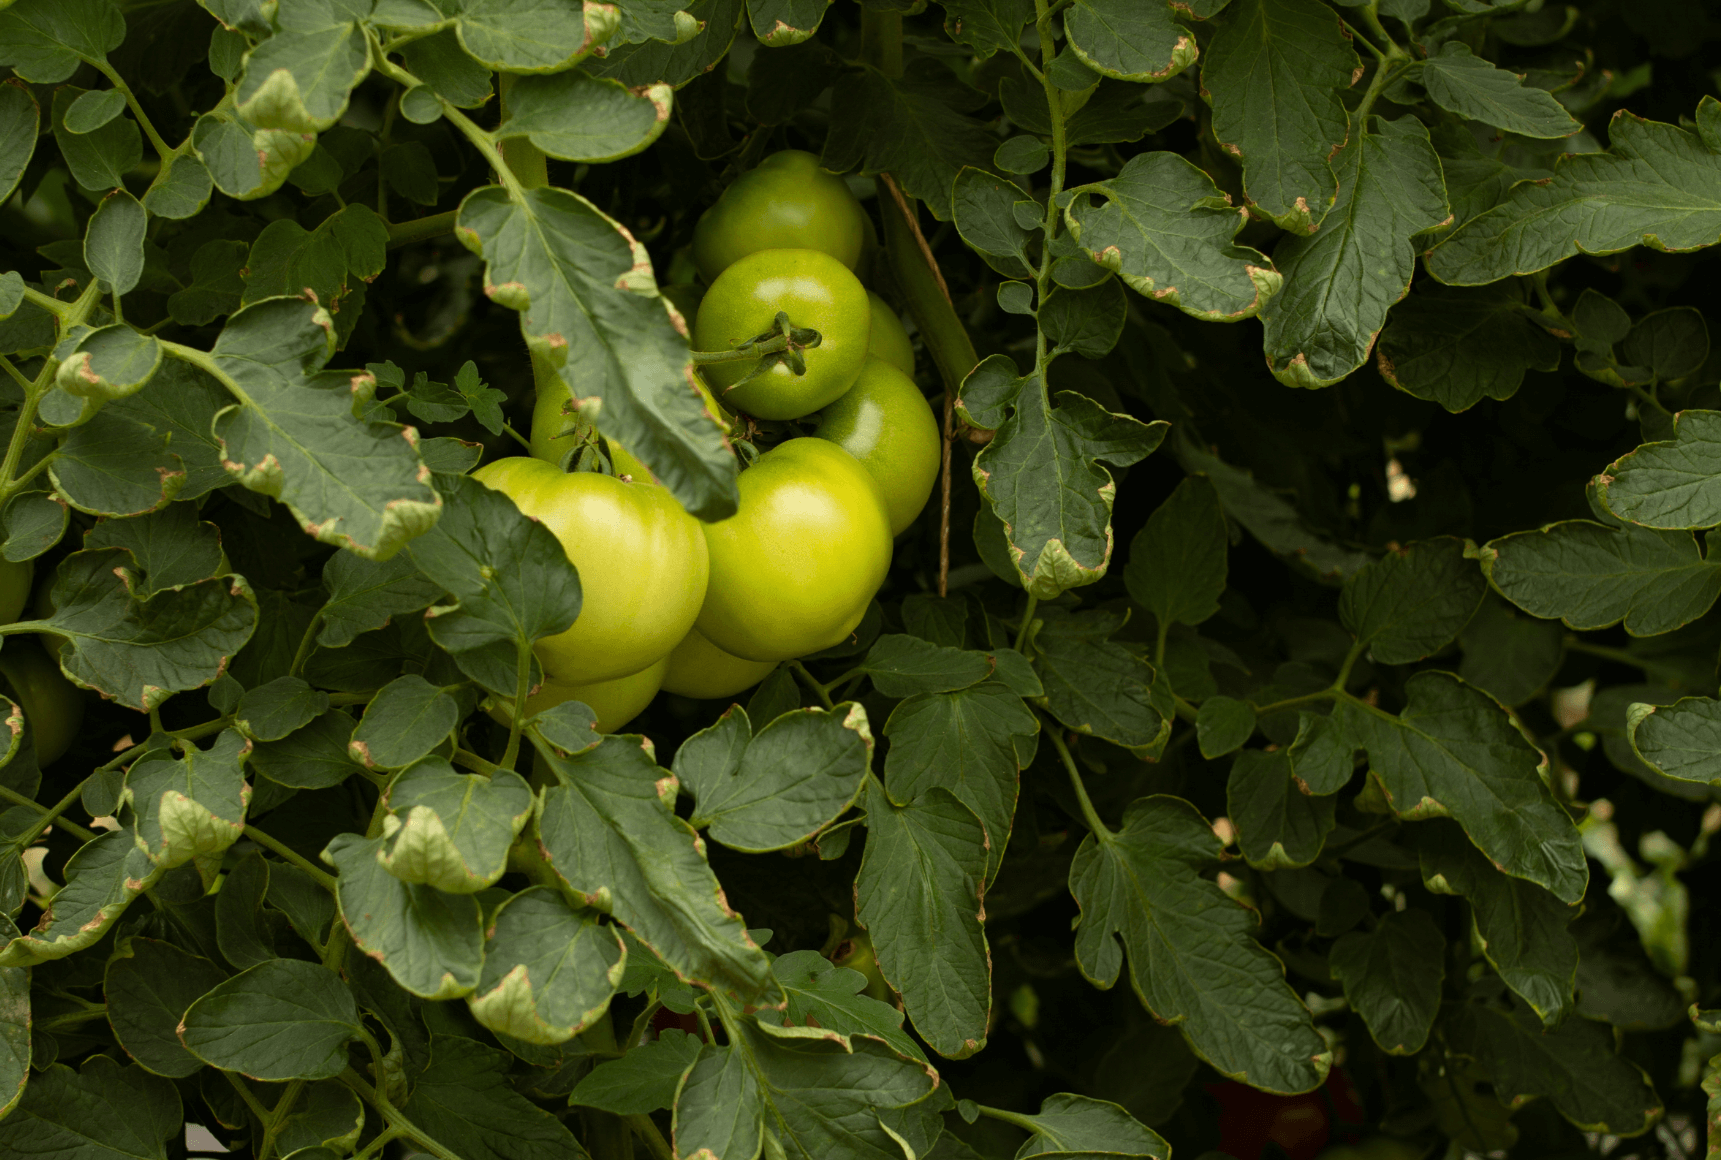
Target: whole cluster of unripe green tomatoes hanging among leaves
786	331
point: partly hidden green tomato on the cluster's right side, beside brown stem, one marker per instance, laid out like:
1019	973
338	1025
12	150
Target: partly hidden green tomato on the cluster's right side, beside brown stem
888	426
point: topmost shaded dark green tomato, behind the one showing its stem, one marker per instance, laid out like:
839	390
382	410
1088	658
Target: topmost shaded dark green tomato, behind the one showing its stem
788	202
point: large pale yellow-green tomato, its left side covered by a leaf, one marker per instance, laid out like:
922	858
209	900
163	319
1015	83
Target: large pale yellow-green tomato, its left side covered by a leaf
641	560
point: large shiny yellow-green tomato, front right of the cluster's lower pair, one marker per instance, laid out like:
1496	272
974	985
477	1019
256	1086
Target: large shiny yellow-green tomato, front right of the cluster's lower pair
795	569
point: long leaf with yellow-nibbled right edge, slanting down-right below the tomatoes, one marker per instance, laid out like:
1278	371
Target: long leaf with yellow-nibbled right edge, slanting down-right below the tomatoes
614	841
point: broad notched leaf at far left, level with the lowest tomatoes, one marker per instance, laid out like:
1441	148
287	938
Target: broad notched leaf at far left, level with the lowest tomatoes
144	650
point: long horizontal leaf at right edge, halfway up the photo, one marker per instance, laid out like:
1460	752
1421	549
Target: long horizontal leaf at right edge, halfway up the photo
1594	577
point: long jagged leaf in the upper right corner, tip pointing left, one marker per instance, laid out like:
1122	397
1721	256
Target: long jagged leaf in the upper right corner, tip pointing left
1656	187
